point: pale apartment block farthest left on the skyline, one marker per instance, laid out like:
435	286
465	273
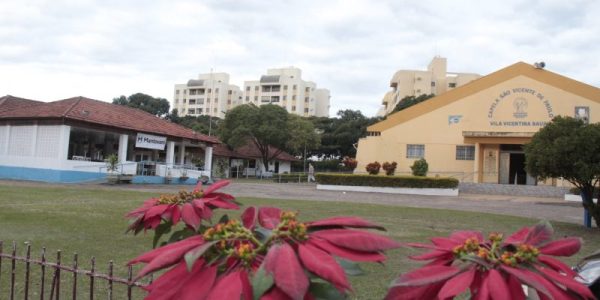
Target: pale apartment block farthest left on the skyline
211	95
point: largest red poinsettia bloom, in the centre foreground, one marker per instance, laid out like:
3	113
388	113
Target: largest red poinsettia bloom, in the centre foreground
269	254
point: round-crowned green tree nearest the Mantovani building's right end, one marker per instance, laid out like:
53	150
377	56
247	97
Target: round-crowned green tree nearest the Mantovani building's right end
264	126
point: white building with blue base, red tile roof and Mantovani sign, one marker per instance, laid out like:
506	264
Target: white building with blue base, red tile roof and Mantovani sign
69	140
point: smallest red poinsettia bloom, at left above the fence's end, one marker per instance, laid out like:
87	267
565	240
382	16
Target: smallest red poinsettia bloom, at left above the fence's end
189	207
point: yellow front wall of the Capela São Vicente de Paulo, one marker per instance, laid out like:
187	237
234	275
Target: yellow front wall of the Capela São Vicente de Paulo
517	107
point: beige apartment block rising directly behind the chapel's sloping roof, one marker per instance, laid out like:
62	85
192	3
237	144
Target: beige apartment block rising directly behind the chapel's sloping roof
435	80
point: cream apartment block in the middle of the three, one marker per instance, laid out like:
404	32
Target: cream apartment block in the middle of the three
286	88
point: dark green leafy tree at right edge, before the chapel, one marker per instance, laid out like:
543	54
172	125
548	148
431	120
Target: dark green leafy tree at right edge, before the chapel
570	149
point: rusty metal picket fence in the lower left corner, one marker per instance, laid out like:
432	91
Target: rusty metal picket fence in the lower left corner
42	279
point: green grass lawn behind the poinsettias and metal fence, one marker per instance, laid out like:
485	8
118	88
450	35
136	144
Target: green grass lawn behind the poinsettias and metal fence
91	223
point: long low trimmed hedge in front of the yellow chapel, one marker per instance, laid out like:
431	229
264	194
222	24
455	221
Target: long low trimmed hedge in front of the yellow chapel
387	181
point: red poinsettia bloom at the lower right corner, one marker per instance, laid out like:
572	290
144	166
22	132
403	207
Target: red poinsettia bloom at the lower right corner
494	268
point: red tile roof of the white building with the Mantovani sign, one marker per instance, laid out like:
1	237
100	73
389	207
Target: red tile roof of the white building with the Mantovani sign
96	112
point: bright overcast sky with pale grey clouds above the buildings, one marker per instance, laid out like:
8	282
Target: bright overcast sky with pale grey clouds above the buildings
57	49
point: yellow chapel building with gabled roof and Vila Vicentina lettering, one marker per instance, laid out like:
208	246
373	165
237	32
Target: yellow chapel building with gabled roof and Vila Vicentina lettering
475	132
